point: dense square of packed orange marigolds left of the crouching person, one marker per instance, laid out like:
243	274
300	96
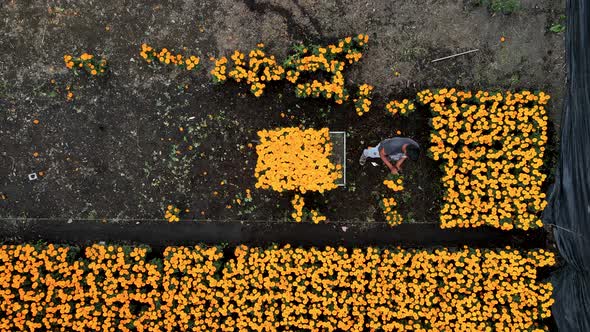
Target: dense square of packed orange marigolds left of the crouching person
295	159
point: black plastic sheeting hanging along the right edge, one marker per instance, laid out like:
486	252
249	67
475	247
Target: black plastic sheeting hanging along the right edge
569	200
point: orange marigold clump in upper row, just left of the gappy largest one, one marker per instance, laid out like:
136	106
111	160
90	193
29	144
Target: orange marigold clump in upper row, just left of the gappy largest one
256	72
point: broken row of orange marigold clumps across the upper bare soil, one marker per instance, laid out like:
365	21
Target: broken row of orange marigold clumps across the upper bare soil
315	70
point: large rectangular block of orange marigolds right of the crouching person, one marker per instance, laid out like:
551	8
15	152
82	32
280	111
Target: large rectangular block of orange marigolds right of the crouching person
492	147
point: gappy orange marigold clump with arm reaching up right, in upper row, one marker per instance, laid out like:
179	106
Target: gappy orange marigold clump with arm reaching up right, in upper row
331	60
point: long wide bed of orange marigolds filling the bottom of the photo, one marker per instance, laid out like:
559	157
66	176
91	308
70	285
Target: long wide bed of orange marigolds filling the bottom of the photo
49	288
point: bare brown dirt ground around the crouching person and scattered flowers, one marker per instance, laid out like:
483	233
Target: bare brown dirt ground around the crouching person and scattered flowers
111	152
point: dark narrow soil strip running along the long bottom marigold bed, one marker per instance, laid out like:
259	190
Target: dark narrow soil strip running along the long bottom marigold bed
158	235
